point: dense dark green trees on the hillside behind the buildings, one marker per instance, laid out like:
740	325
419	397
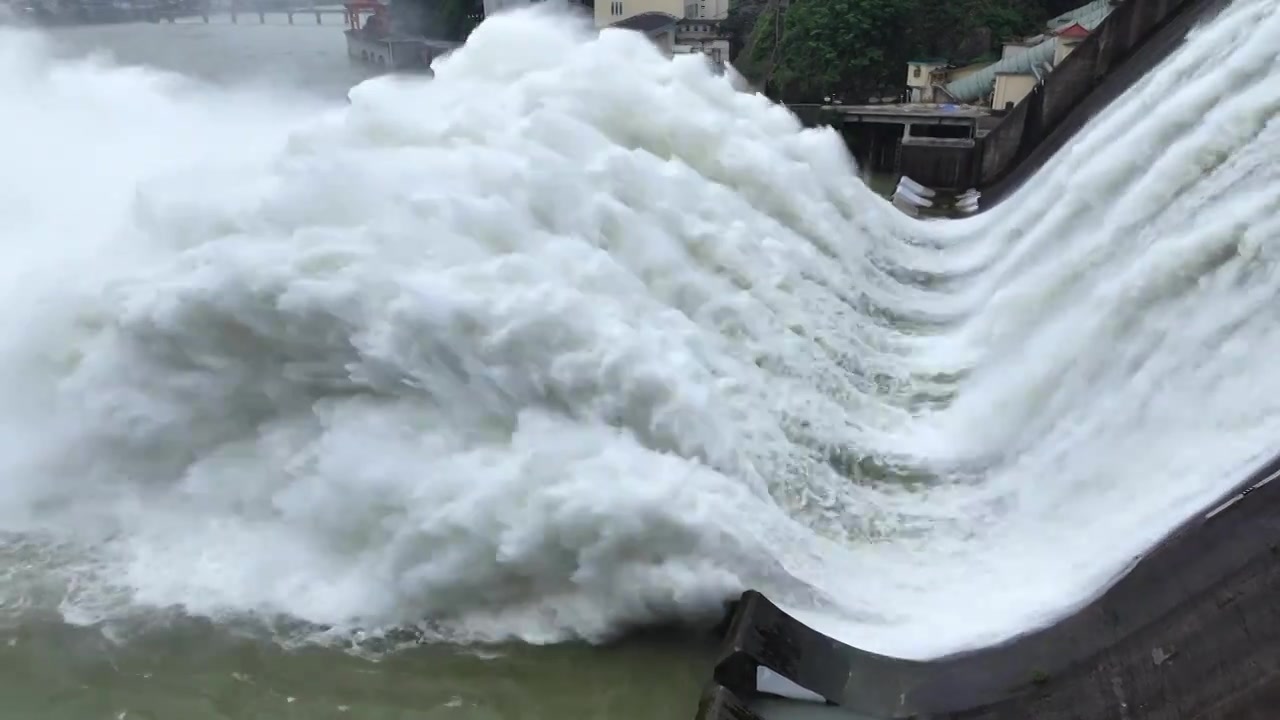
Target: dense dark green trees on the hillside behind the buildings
860	48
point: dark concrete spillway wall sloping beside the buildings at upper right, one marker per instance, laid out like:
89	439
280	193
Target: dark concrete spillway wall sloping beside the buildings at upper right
1135	39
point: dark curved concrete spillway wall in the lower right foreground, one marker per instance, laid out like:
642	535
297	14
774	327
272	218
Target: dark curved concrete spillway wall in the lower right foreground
1191	632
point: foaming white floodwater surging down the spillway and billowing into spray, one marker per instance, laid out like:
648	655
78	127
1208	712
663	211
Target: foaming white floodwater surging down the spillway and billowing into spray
574	339
